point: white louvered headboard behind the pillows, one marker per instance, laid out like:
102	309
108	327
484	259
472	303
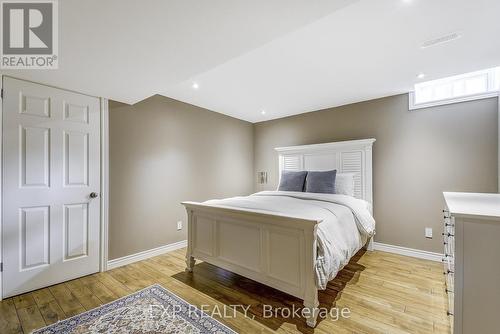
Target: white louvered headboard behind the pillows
354	156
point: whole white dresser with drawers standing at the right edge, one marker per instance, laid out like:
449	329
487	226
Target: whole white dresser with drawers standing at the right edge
472	261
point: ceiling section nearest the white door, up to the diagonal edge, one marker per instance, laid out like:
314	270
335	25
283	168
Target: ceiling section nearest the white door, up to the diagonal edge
128	50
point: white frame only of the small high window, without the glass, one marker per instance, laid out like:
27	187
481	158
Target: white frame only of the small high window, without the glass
492	91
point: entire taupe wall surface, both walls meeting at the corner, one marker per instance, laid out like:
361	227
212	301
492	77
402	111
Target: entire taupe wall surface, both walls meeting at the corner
163	152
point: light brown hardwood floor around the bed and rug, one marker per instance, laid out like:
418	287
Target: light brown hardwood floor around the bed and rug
385	293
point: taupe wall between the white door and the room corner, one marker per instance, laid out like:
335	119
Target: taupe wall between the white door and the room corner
163	152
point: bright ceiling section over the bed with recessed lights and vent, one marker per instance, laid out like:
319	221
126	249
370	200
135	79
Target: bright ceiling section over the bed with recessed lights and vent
367	50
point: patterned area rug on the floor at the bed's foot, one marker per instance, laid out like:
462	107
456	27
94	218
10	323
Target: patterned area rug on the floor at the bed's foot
149	311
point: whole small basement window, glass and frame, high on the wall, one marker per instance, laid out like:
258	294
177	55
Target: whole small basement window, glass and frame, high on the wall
458	88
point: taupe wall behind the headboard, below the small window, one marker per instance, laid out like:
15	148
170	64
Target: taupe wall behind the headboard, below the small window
417	155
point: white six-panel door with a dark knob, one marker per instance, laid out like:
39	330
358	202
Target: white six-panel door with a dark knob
51	185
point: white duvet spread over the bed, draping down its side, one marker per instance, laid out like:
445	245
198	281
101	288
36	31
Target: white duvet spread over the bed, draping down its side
346	223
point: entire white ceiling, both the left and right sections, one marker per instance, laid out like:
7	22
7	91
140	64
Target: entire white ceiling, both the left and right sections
285	57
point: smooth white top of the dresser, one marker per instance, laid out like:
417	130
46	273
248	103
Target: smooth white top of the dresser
473	204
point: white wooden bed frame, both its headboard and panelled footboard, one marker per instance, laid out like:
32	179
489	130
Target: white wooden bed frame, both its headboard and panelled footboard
276	250
